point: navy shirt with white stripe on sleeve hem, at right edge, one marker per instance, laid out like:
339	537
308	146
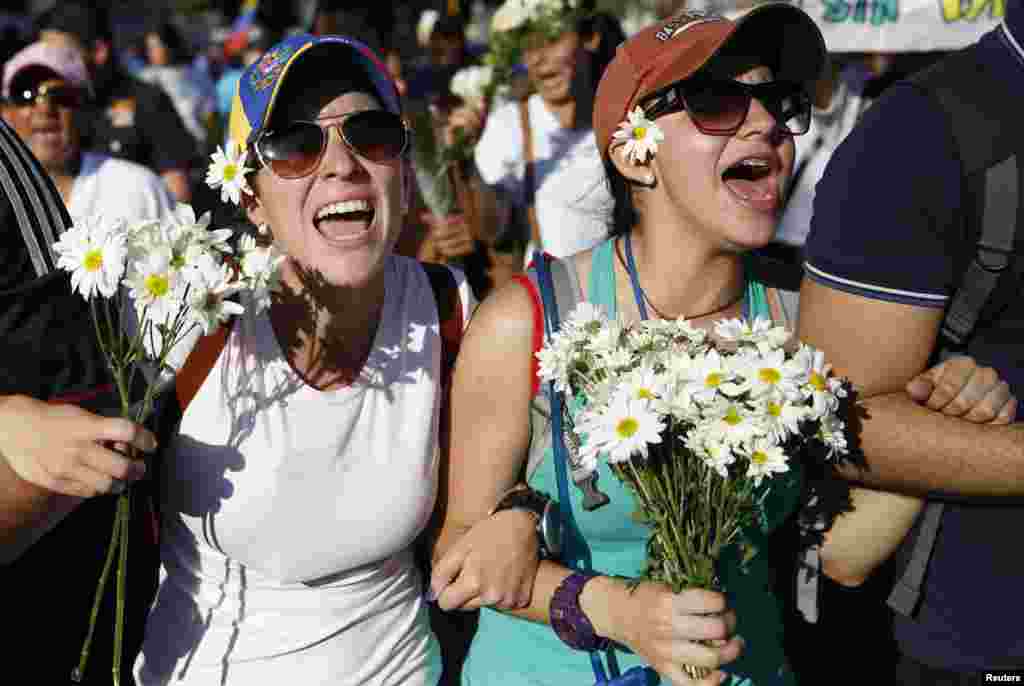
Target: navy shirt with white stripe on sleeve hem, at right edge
888	226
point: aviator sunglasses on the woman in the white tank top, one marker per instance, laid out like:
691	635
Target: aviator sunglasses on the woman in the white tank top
296	151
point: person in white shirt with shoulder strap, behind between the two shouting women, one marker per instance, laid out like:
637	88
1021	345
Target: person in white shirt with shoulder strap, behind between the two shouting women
570	193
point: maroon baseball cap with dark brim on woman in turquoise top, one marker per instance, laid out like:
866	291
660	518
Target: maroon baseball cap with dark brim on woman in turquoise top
675	50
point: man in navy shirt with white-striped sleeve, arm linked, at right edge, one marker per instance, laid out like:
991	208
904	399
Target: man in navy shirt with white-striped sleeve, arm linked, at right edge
885	253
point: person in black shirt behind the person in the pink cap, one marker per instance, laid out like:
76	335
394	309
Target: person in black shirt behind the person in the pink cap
129	118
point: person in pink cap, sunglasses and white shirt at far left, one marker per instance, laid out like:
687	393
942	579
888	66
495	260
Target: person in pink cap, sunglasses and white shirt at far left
44	88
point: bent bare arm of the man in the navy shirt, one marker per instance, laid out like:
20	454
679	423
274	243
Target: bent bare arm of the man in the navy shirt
880	347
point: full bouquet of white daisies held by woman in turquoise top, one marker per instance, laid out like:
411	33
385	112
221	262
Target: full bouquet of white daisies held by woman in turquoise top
697	425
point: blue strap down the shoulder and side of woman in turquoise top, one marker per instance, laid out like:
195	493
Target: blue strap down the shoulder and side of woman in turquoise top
576	553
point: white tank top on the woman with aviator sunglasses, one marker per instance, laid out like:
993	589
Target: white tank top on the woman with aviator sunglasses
288	513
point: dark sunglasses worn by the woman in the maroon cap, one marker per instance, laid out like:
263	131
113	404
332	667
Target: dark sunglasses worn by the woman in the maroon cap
720	108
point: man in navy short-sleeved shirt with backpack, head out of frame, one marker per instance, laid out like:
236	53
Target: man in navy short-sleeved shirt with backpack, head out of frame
894	245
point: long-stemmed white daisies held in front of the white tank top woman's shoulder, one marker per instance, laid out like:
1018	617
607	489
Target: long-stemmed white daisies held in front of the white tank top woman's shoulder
153	288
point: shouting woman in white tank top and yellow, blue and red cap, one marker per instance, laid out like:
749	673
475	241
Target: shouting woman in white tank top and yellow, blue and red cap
307	463
